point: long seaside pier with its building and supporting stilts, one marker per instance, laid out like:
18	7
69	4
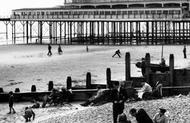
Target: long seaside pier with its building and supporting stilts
106	22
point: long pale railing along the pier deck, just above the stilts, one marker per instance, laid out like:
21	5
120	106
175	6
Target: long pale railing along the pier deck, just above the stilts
121	16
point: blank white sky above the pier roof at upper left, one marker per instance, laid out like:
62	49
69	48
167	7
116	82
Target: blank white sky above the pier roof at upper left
7	5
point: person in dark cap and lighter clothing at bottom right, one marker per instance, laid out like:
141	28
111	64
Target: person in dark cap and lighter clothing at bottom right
160	117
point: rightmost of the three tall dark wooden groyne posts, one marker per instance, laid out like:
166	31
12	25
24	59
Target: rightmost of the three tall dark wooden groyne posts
171	70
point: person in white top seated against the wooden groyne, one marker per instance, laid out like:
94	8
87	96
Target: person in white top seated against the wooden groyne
145	91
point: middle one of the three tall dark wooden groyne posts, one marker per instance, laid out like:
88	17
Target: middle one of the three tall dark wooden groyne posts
147	70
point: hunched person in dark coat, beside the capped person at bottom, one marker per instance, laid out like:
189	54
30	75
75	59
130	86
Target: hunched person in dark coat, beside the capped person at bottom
141	116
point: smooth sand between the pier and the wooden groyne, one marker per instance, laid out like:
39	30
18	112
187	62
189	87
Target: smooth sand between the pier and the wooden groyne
25	65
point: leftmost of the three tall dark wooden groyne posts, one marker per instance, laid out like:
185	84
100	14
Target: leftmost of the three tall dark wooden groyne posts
127	67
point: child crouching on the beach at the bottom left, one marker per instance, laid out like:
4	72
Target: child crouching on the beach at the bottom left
29	114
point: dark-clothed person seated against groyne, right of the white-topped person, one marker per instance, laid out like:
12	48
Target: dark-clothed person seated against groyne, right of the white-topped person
157	91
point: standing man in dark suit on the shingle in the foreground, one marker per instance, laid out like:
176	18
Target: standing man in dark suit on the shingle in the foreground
118	99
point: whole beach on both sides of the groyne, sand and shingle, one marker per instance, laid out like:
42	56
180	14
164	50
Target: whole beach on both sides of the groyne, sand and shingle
25	65
